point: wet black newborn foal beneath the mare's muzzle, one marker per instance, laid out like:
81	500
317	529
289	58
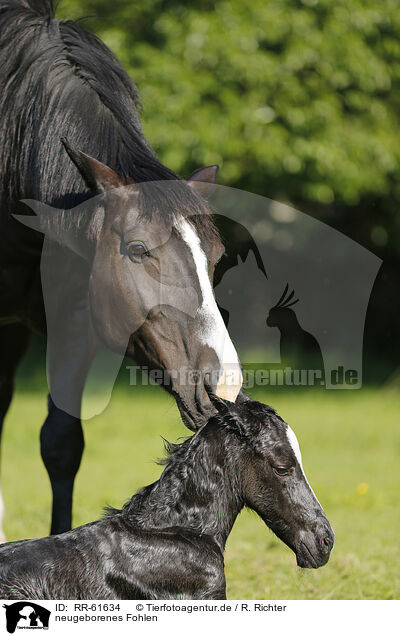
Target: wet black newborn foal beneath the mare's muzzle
168	540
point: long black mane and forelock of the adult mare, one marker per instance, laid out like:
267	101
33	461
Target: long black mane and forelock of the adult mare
60	80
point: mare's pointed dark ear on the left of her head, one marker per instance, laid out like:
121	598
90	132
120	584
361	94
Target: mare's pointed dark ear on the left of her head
97	176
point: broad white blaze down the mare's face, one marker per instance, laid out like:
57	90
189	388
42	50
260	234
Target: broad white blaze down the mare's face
212	328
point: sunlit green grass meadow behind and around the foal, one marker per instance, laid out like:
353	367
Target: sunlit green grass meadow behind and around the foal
350	442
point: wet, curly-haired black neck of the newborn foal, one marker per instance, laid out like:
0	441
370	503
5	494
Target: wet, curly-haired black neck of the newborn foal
198	490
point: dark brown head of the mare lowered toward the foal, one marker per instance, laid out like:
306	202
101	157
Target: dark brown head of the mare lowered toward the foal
154	250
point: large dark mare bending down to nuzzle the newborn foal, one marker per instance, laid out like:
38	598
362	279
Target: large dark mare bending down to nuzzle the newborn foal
57	82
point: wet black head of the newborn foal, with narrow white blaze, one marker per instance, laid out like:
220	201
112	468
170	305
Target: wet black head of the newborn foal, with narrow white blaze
270	475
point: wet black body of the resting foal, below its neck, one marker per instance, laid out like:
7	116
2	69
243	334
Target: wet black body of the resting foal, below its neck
111	559
